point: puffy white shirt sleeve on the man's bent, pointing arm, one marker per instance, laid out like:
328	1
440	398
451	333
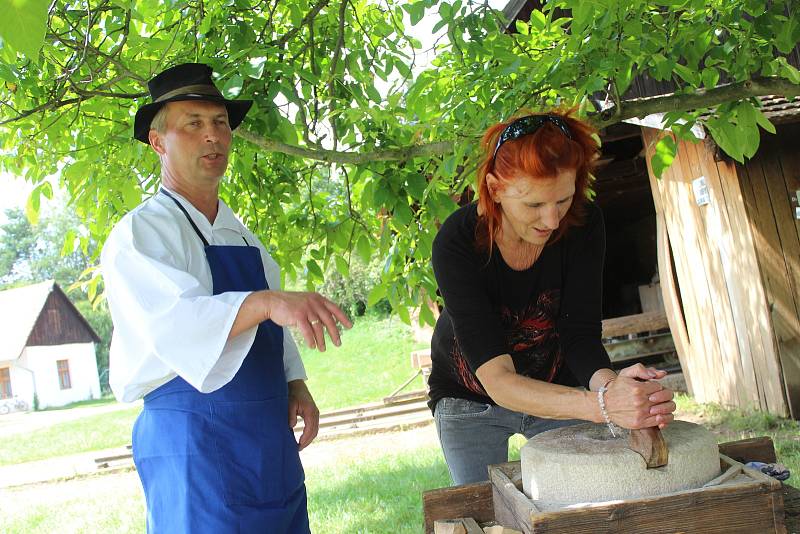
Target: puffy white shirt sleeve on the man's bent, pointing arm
166	321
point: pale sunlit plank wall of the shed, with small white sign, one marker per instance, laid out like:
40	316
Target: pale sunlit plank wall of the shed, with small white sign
724	333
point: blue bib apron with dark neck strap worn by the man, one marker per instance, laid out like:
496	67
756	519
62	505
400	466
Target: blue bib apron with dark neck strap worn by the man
225	461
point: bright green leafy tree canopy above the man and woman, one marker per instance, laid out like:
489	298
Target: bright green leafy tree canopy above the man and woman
353	148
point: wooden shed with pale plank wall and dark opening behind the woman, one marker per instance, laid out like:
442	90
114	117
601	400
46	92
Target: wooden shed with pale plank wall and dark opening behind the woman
725	261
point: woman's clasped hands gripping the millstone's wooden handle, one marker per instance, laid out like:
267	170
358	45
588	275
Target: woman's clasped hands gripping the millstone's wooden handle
635	400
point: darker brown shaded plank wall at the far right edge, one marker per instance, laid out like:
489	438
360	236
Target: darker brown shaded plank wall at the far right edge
770	182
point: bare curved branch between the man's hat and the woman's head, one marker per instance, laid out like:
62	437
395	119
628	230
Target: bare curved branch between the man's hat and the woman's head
351	158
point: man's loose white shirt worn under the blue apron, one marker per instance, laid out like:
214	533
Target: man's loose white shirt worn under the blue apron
159	290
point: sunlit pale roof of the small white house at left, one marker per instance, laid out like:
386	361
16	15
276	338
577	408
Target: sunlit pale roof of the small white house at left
20	309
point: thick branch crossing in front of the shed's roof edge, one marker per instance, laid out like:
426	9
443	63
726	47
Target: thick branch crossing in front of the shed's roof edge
701	98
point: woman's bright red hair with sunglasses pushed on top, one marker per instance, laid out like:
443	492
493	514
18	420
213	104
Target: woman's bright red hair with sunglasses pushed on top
540	155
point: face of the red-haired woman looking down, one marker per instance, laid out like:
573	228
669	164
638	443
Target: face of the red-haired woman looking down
533	207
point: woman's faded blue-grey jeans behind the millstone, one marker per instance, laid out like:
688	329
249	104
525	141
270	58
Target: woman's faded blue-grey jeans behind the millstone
475	435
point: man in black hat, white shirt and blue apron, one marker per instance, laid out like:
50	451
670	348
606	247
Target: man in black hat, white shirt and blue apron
200	332
